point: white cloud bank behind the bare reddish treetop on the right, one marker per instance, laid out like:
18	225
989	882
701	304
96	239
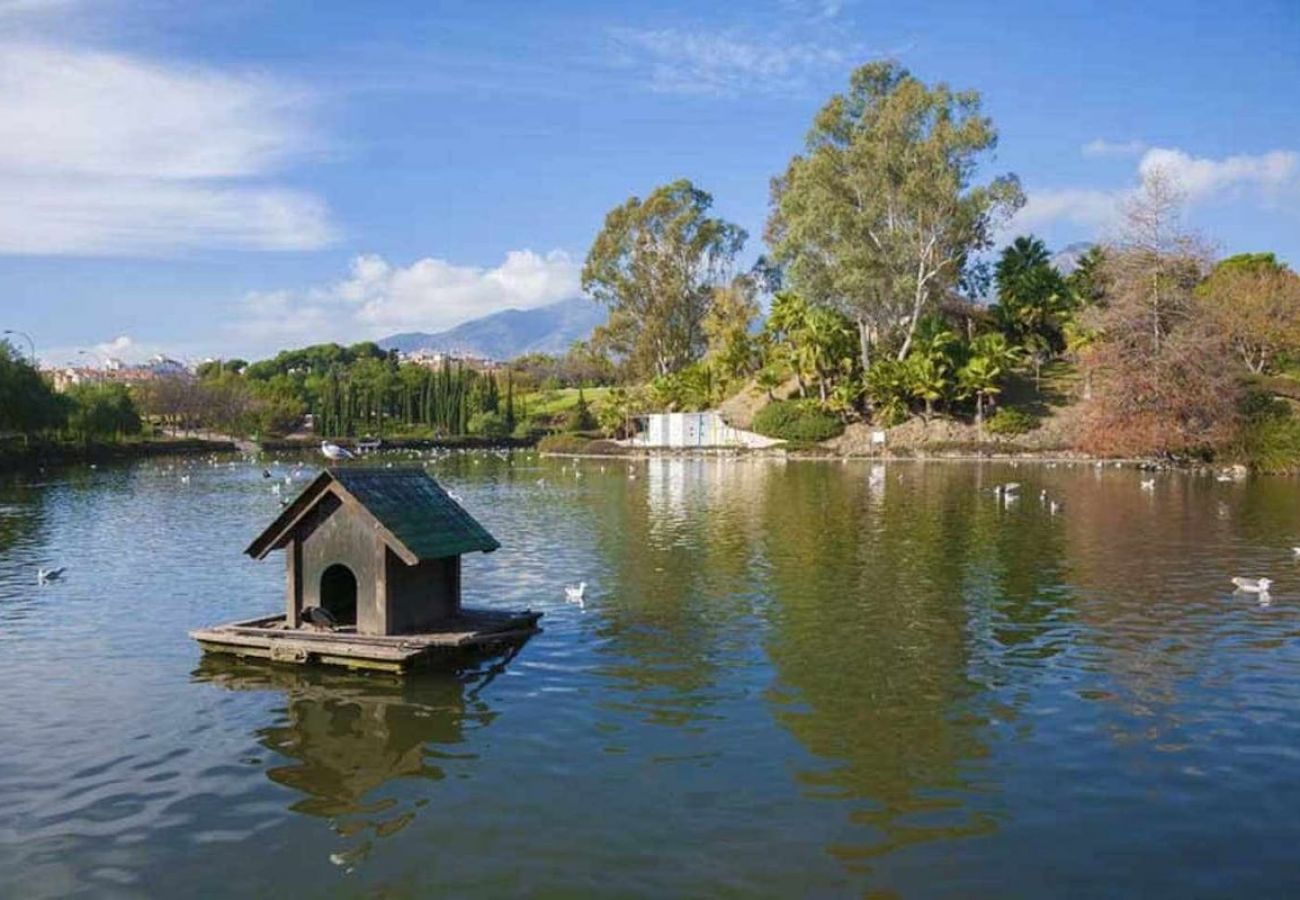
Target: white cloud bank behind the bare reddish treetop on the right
1266	178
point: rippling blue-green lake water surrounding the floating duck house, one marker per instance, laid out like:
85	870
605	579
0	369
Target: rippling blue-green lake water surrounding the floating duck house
787	681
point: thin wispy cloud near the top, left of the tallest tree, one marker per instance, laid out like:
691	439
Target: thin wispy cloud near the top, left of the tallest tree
721	63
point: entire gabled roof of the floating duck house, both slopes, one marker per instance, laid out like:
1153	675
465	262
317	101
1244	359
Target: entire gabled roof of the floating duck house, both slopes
408	503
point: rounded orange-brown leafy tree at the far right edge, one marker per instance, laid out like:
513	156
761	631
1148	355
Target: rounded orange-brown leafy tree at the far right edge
1255	301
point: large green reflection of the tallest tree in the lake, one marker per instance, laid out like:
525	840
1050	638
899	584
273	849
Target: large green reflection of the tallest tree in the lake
889	603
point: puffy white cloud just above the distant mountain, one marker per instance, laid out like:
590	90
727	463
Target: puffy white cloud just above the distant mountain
379	298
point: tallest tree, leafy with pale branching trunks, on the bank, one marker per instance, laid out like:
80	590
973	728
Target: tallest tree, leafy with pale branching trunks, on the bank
879	218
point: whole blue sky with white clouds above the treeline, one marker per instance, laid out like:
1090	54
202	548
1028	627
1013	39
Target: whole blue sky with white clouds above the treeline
237	178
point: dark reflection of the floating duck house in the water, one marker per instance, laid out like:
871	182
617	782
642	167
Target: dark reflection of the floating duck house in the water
348	739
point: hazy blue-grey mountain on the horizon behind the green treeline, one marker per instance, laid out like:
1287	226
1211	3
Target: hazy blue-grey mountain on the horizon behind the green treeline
510	334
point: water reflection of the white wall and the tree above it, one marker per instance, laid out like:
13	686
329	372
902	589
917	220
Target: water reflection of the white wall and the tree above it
678	543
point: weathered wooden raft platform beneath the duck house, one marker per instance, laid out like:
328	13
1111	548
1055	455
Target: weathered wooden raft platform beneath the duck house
473	633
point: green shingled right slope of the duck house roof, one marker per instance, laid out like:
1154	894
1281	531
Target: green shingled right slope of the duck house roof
419	513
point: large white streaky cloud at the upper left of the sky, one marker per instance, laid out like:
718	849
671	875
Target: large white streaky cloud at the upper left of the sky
105	154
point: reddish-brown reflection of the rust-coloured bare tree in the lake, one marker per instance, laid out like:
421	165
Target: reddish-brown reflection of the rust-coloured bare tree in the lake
1159	605
